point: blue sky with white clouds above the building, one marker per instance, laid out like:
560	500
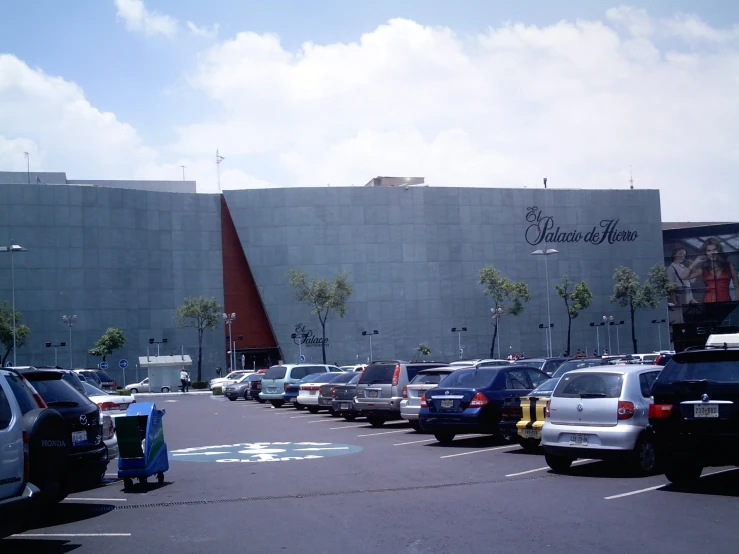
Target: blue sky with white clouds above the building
333	92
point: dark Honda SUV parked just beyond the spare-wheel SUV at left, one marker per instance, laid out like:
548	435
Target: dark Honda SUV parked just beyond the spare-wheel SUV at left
88	456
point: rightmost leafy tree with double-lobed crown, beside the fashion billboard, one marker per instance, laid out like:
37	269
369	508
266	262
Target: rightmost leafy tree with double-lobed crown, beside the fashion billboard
628	291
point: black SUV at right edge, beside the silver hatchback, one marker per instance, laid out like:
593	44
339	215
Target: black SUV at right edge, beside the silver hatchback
695	415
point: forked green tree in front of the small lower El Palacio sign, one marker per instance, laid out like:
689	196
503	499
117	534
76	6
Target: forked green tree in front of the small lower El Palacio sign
323	296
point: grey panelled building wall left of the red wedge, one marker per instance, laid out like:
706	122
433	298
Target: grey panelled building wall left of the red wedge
115	258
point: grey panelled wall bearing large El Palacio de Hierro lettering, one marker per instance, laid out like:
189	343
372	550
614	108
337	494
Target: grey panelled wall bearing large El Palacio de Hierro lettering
414	256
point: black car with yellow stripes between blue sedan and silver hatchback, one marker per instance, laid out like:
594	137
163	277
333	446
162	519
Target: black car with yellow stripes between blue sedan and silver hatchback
522	418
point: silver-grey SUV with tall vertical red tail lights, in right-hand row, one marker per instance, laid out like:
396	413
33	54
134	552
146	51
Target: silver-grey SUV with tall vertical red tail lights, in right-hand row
380	388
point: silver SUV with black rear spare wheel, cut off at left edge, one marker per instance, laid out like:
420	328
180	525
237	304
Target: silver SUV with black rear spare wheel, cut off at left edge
33	453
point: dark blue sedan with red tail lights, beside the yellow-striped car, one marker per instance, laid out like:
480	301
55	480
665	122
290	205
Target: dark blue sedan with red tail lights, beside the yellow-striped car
471	400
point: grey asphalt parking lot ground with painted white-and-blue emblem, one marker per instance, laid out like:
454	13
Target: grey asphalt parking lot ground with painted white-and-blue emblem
248	476
